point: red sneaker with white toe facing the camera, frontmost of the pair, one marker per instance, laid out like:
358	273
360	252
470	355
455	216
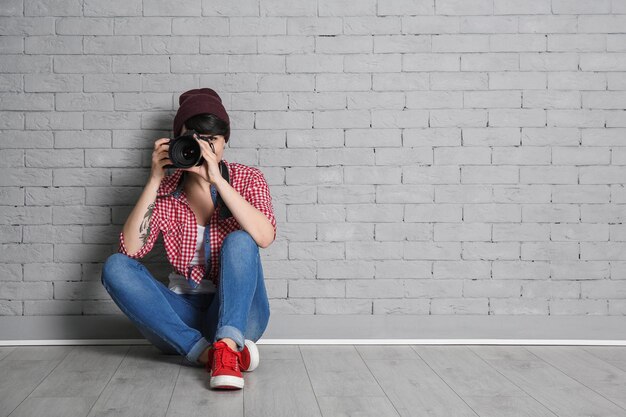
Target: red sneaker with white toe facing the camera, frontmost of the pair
225	371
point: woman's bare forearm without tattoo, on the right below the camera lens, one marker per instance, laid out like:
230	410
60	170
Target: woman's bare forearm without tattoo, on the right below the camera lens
251	219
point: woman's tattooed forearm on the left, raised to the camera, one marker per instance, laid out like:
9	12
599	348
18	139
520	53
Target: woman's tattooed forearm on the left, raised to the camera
137	237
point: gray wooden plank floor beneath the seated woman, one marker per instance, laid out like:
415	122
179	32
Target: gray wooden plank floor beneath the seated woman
319	380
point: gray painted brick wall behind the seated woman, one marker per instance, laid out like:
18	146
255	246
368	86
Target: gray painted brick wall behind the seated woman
424	156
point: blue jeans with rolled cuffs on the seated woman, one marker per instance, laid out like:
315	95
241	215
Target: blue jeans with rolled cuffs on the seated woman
187	324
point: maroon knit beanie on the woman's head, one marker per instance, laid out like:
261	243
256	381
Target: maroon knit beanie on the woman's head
198	101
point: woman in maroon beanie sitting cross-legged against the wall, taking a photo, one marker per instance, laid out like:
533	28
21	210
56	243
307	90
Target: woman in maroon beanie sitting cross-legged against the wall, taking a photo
213	217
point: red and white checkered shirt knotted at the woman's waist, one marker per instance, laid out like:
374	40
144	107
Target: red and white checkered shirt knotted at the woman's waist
173	216
